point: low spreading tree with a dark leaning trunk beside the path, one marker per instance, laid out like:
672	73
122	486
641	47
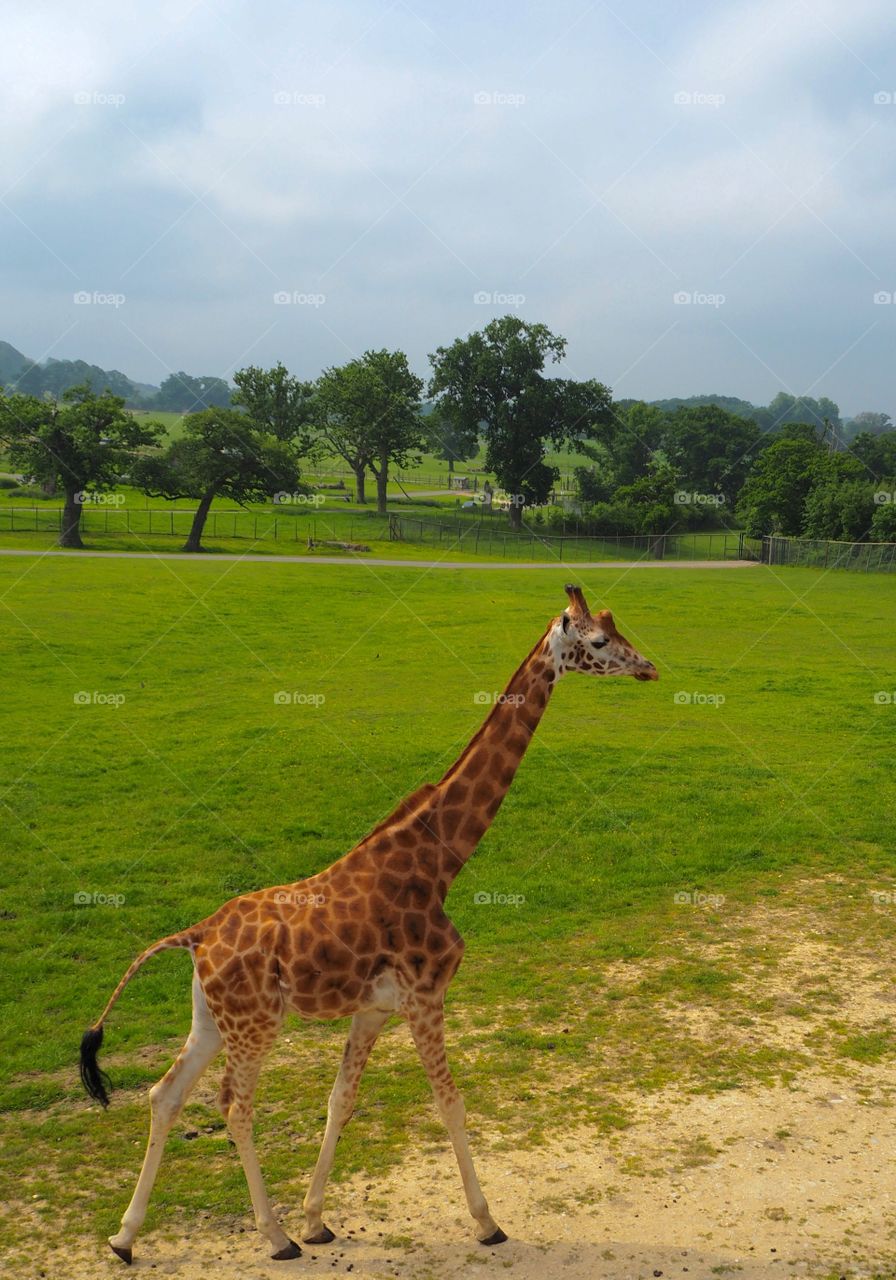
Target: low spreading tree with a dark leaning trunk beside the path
222	454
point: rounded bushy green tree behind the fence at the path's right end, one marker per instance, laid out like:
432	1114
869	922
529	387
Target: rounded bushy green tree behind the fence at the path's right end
774	496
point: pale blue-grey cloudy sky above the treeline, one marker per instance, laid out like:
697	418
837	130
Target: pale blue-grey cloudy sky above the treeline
403	172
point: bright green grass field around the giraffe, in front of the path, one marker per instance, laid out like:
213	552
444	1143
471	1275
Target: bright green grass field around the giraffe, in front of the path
149	775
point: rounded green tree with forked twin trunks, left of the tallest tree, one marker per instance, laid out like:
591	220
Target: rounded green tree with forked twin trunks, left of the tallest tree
369	414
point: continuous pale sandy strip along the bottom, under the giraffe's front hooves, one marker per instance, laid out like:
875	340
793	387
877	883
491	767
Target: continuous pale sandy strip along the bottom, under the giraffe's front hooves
775	1183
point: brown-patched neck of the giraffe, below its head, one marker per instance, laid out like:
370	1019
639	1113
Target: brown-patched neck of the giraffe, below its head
468	798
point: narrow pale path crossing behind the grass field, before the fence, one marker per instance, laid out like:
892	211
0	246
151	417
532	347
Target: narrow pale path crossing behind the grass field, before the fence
211	559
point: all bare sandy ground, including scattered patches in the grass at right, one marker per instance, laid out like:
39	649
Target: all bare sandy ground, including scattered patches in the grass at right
760	1183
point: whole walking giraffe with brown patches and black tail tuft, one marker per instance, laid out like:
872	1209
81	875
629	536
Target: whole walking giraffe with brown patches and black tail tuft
368	939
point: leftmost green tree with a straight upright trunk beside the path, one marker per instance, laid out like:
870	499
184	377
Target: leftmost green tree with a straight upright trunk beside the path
83	445
